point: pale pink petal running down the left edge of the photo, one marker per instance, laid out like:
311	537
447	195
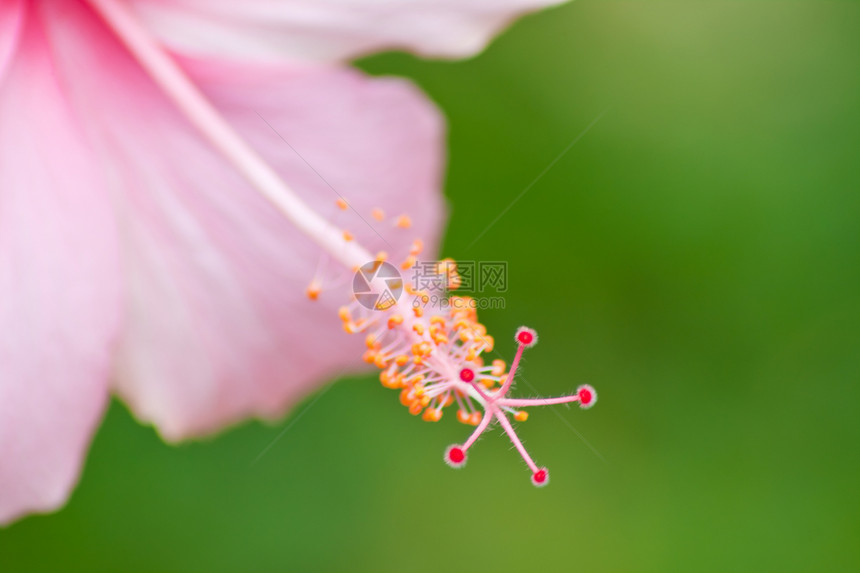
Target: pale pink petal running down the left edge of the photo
59	294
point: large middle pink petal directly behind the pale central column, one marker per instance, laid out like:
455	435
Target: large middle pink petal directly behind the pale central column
219	327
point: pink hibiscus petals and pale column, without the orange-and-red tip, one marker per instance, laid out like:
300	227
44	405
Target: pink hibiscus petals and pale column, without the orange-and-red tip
166	169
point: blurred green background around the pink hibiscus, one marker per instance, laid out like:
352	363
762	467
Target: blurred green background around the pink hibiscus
695	256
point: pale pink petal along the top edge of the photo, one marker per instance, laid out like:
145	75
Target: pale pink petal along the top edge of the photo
326	30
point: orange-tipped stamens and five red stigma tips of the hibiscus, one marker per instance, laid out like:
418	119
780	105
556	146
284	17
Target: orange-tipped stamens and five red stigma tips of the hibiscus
436	360
